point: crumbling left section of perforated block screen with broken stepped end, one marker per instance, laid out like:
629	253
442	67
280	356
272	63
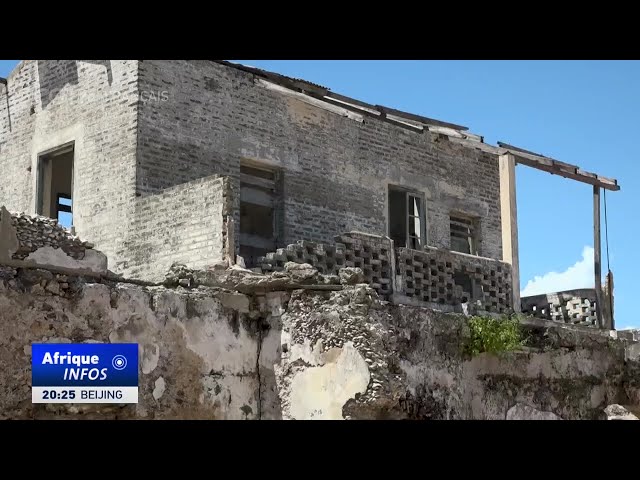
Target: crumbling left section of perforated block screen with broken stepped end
373	254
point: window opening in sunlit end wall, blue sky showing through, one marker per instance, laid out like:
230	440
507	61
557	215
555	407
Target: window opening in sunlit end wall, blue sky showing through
55	185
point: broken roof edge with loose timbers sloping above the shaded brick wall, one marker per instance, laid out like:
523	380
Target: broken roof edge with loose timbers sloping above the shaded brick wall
324	93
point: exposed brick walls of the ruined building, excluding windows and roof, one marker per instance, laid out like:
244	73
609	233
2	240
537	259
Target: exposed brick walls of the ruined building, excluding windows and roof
141	127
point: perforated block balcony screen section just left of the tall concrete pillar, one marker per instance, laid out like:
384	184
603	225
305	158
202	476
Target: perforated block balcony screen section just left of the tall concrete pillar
444	277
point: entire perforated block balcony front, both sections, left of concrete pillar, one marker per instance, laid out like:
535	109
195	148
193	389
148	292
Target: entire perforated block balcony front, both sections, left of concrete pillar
434	278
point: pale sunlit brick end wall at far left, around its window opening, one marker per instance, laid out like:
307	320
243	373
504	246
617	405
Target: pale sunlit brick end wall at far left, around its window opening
95	104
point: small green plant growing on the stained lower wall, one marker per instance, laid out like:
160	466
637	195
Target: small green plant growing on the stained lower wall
494	335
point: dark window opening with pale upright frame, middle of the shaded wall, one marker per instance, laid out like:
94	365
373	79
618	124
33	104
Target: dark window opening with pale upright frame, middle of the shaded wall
407	218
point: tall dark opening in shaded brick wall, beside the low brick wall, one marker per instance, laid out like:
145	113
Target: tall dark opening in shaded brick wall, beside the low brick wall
260	212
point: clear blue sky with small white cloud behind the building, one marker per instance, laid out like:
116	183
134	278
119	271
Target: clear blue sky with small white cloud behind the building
581	112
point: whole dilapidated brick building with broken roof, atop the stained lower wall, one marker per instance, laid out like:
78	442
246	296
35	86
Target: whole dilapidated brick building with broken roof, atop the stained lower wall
203	162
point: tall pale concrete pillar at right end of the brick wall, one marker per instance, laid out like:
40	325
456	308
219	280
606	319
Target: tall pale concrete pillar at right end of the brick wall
509	221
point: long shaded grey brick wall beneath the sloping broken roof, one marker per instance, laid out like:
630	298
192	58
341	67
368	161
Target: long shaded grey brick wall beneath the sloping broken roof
336	169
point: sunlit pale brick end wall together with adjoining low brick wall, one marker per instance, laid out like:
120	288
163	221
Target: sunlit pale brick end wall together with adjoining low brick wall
95	105
